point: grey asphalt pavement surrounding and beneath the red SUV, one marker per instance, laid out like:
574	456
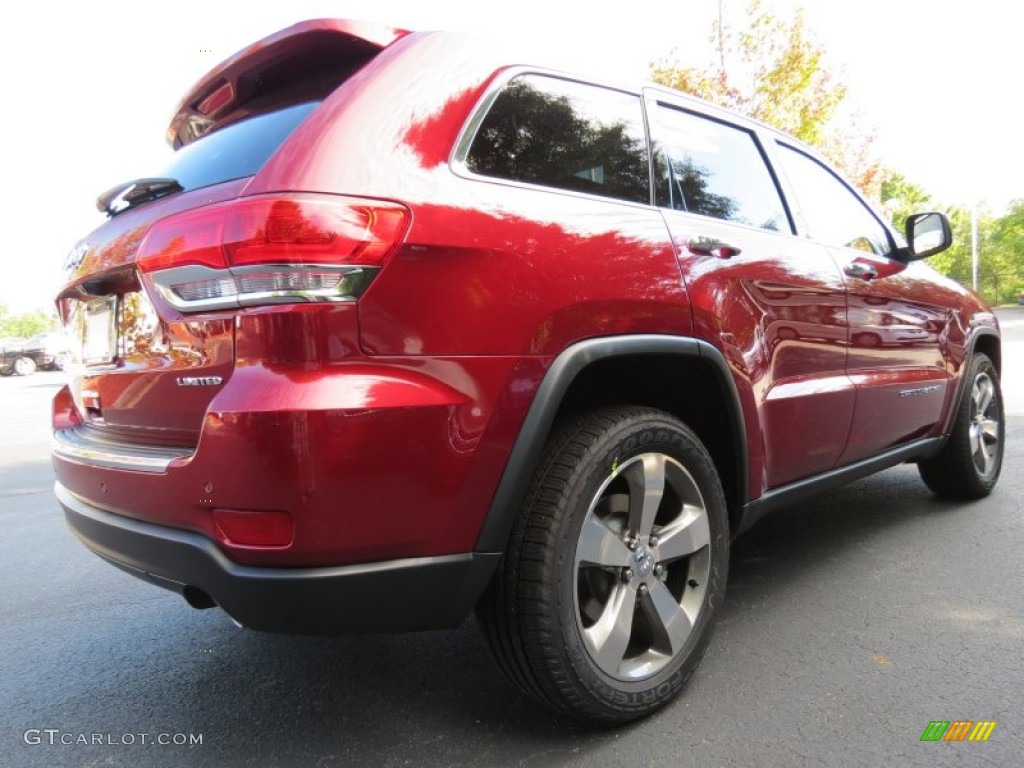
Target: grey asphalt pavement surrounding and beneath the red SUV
852	621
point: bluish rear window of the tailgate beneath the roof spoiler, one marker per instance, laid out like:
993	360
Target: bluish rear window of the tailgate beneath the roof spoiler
236	151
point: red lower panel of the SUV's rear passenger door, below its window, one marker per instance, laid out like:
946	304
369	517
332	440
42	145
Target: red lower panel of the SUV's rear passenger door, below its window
778	311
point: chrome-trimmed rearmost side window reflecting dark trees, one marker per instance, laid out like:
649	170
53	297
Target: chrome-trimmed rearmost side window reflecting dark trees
556	133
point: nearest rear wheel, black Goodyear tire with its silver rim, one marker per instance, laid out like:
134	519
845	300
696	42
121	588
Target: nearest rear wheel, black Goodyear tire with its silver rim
604	606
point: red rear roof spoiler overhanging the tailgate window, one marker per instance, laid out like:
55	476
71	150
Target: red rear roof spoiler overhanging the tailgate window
266	66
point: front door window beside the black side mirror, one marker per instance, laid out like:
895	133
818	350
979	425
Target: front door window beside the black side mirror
834	215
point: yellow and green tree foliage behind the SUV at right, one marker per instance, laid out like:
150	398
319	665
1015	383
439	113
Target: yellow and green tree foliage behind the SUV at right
775	71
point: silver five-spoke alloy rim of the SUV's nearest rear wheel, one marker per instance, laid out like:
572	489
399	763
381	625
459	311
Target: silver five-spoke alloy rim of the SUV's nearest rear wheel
643	564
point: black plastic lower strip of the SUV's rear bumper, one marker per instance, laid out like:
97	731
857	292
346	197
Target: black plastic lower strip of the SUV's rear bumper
400	595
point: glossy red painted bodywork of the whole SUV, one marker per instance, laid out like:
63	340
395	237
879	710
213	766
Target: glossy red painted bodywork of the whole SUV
382	428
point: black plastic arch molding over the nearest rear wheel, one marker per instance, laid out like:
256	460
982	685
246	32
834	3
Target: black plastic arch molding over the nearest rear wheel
548	401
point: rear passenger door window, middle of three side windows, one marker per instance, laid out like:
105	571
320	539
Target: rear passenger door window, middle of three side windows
714	169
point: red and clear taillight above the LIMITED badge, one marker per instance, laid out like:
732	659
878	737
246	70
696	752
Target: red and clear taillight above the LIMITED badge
272	249
